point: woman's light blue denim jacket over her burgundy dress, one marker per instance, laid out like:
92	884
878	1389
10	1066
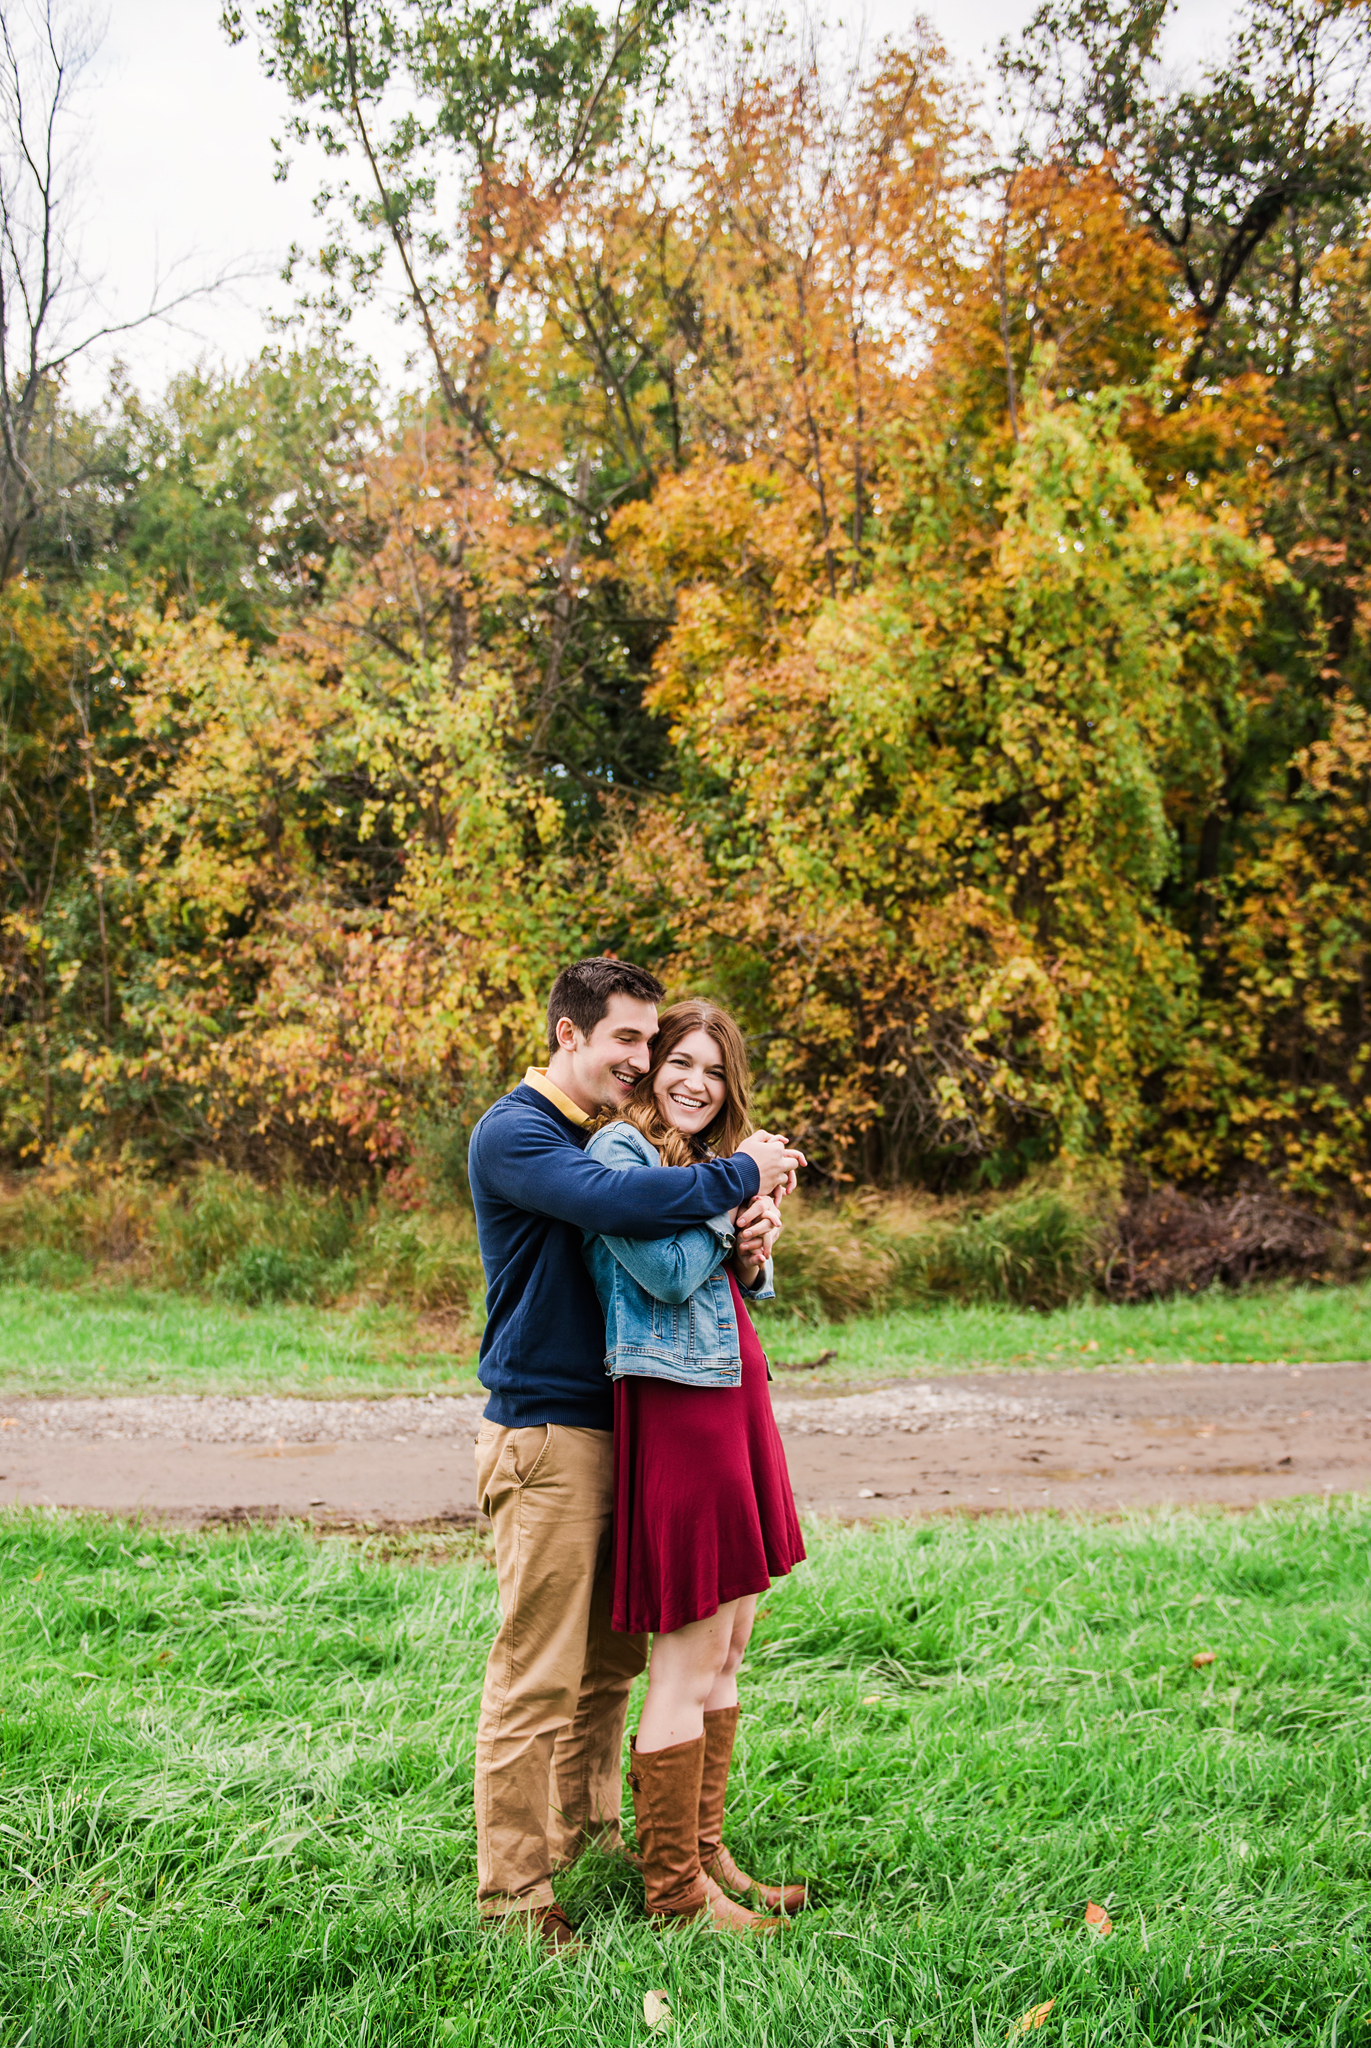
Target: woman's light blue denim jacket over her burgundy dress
669	1312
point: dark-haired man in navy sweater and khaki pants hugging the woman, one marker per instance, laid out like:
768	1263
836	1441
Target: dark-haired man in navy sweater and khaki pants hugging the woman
550	1738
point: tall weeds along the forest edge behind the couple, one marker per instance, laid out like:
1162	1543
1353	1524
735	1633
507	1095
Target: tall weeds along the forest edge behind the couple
233	1238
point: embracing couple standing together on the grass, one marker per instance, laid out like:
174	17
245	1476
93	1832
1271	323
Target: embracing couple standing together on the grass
630	1463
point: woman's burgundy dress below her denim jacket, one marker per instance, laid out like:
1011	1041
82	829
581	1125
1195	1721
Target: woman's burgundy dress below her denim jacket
704	1506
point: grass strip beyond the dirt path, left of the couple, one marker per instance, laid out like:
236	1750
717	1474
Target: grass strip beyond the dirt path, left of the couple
147	1340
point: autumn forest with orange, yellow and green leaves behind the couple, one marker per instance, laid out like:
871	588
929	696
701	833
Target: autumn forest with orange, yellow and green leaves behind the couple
884	550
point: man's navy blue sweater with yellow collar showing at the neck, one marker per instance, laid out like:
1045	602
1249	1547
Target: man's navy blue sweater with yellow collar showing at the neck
536	1193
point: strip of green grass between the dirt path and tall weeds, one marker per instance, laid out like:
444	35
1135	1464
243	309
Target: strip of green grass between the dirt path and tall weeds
122	1340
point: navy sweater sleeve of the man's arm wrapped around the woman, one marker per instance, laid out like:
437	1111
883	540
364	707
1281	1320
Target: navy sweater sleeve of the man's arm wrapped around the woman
528	1162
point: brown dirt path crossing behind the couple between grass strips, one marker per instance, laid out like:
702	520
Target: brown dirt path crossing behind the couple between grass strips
1067	1441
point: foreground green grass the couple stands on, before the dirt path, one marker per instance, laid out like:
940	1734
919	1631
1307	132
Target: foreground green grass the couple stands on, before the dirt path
237	1797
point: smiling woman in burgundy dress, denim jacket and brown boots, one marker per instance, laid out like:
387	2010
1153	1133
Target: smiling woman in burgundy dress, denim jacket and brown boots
704	1508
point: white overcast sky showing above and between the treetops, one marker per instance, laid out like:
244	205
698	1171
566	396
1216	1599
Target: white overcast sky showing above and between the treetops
179	130
